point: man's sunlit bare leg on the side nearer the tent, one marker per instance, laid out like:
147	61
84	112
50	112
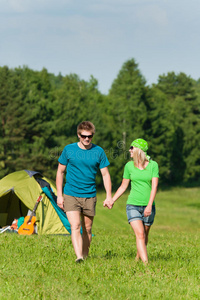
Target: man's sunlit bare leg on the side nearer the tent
75	222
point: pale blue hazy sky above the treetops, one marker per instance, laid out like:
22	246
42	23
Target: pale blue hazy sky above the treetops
96	37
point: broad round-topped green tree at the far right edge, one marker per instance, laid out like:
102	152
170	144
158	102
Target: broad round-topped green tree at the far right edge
180	114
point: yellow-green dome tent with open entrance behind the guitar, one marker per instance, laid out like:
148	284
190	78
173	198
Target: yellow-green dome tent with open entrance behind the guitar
19	192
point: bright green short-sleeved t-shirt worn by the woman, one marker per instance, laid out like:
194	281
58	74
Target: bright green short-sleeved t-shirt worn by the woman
140	182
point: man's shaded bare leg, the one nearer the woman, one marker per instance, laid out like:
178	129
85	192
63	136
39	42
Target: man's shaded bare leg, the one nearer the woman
87	233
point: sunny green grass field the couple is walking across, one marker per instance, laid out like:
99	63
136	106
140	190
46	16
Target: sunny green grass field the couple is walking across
43	267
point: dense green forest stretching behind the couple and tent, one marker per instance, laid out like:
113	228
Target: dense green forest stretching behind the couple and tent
40	111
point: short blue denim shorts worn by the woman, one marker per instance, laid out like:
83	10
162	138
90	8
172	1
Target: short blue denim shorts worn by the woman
137	213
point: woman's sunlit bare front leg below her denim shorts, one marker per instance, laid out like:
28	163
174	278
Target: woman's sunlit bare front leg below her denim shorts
138	228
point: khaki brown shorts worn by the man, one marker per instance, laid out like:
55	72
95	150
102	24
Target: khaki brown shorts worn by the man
84	205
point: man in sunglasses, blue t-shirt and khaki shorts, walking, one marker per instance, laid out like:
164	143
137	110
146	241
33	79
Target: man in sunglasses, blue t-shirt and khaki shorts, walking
81	161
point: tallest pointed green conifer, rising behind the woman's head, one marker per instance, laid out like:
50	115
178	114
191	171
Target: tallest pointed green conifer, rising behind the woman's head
127	112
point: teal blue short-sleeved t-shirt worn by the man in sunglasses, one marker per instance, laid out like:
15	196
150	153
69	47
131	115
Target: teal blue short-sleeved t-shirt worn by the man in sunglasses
82	166
